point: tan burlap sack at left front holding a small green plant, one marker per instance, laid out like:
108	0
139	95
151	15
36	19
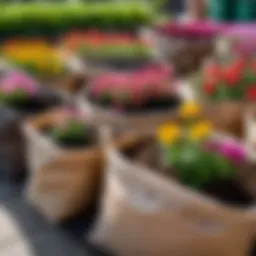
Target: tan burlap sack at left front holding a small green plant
62	182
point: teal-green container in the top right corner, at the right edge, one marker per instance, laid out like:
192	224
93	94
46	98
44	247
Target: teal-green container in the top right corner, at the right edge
245	10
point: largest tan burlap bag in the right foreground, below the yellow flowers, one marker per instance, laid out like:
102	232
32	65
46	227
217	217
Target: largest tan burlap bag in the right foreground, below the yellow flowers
144	213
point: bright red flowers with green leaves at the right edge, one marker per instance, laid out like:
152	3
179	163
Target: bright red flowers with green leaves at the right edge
235	81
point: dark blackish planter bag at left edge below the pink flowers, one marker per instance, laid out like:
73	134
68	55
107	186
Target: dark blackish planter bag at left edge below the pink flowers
12	156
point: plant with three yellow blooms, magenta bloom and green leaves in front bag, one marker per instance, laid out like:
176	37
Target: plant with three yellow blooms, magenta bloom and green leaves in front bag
189	149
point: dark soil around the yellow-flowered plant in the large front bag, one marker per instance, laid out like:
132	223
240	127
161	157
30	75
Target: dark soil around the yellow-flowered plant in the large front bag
233	192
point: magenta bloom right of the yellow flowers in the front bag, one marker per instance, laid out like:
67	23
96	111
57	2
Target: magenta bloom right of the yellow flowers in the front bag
233	151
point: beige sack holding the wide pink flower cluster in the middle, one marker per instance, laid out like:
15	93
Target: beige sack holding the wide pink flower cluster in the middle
137	121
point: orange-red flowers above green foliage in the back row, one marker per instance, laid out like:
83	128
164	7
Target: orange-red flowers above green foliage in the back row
108	49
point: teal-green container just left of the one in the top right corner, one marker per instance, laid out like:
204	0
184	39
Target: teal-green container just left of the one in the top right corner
223	10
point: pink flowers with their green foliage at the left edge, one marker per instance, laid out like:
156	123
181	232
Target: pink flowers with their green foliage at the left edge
16	88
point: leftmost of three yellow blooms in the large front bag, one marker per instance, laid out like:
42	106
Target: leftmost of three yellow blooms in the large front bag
168	133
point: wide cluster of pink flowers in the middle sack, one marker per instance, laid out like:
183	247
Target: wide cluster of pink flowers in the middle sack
148	86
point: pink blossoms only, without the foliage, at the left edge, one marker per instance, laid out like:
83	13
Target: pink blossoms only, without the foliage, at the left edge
19	81
